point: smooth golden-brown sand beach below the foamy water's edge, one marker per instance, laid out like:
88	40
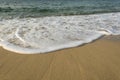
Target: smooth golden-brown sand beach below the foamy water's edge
99	60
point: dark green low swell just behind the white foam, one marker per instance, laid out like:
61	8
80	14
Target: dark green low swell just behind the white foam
25	12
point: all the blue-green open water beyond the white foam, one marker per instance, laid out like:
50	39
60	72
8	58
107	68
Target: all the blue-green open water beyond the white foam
38	8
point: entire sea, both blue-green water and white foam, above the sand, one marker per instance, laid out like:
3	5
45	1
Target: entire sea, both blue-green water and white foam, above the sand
40	26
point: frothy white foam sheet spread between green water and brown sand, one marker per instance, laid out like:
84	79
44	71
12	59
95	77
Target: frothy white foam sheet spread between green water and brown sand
45	34
